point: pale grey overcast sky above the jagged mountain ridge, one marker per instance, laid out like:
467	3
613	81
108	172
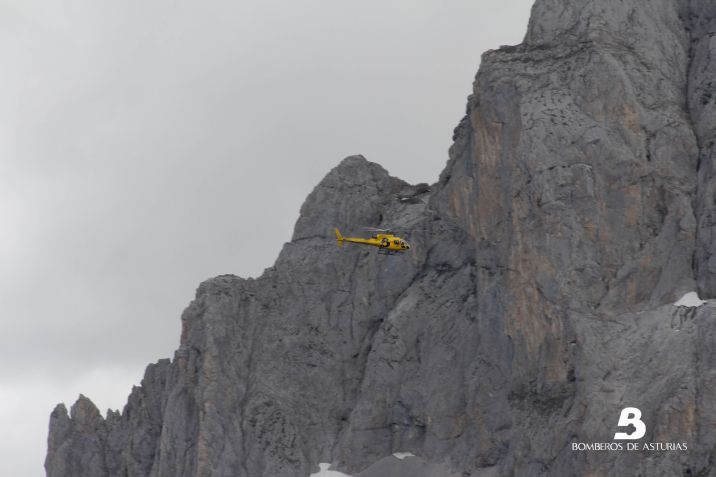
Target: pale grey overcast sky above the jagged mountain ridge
145	144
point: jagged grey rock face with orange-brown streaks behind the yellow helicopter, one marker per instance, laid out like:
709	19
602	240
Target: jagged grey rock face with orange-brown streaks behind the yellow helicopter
578	203
